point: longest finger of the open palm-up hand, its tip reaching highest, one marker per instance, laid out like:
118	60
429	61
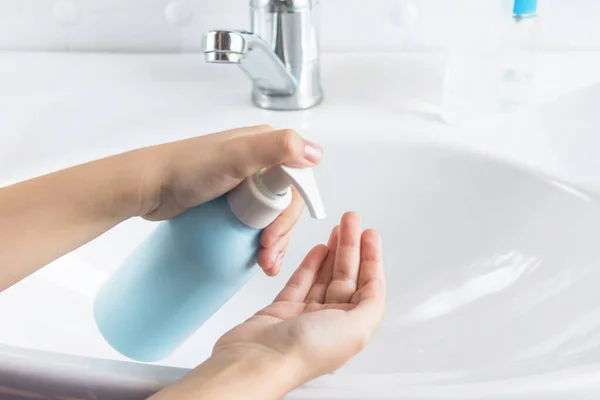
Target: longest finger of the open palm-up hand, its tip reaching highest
347	261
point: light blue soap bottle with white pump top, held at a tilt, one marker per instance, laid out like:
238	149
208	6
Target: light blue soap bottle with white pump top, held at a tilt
191	265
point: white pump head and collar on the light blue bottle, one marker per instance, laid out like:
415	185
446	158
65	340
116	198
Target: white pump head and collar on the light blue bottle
259	200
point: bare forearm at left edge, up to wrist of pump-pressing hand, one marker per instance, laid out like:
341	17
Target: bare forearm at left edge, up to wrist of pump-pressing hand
46	217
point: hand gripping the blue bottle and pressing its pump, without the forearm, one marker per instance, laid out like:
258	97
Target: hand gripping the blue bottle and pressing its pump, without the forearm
184	174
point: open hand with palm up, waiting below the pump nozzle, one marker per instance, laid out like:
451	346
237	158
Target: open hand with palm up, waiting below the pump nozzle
329	308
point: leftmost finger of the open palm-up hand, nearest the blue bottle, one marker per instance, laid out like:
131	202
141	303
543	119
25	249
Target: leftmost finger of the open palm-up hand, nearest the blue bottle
302	280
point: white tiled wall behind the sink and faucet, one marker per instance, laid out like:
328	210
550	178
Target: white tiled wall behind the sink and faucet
346	25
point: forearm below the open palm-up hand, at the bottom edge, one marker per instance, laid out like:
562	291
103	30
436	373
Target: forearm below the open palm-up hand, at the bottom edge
233	377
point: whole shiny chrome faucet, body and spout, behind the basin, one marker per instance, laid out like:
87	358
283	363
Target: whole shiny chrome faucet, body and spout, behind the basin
280	55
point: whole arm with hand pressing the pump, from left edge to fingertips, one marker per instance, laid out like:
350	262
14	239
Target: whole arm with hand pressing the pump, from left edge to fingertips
58	212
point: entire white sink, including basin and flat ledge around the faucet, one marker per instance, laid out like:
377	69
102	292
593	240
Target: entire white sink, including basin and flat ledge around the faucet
492	269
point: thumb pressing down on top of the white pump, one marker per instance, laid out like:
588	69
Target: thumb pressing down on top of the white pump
245	155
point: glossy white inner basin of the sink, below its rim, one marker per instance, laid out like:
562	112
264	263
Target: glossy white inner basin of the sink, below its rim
492	286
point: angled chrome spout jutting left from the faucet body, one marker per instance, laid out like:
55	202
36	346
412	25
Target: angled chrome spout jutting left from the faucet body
255	58
